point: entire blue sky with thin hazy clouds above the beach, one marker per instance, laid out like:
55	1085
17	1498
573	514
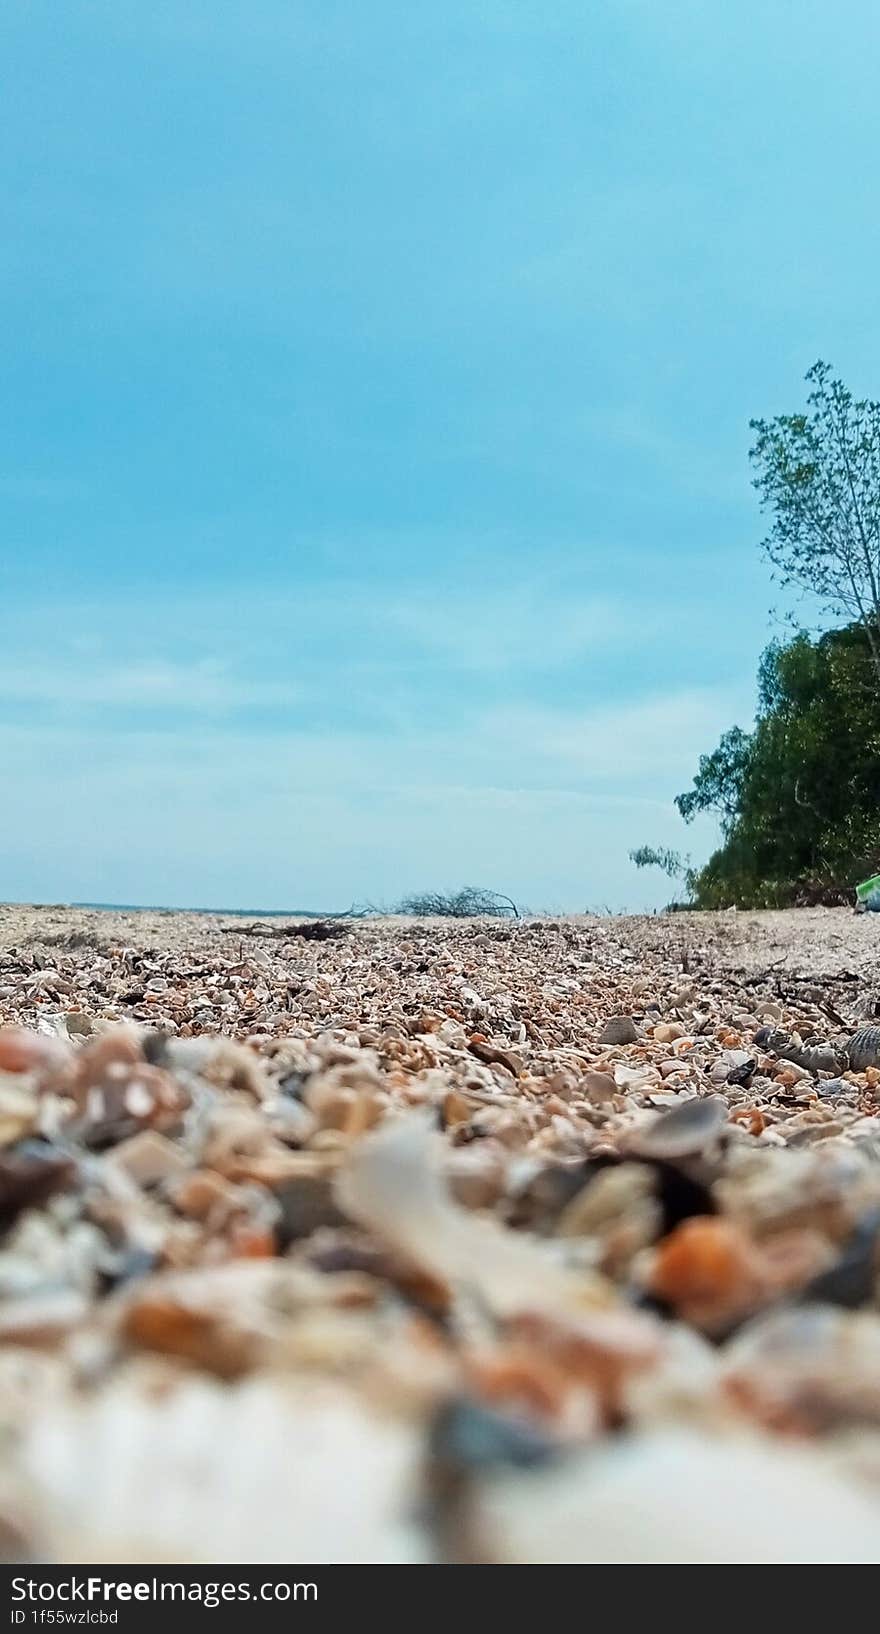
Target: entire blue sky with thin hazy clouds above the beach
373	475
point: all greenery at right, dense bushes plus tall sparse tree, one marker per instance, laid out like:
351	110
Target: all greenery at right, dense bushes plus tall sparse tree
799	798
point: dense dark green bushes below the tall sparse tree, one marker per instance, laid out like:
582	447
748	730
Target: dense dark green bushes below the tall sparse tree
801	797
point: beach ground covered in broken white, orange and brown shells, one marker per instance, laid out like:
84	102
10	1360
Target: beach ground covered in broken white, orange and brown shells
409	1241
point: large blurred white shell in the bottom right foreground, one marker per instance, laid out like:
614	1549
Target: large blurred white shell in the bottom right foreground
613	1506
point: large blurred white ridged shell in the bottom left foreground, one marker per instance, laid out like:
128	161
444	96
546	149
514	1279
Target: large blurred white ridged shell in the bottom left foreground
193	1471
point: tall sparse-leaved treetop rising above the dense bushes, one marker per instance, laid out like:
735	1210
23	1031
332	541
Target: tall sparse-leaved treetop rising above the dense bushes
819	476
